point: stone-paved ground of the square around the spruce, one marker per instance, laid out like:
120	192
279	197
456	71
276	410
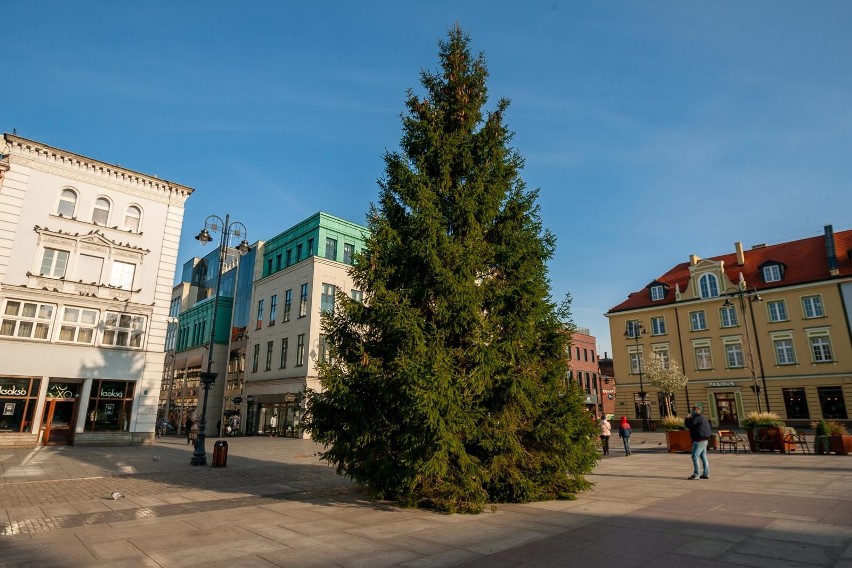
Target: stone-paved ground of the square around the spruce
275	504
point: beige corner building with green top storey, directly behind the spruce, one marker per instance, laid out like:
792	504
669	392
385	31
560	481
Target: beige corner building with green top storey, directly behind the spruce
297	277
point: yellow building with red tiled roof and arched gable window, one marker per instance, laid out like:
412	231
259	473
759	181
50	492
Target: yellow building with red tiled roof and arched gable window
760	329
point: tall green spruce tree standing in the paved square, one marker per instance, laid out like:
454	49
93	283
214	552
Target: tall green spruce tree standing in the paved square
448	387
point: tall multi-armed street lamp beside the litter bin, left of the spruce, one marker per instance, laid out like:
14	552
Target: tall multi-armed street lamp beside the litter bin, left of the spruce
228	229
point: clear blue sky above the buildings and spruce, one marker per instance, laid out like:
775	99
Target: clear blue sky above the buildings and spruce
653	129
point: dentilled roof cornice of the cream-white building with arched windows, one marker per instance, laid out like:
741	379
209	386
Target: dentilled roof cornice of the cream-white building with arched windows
81	168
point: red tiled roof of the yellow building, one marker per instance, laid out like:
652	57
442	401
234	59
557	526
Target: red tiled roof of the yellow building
804	261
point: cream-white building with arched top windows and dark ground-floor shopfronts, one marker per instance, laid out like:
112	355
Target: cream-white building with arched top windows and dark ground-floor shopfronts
87	257
